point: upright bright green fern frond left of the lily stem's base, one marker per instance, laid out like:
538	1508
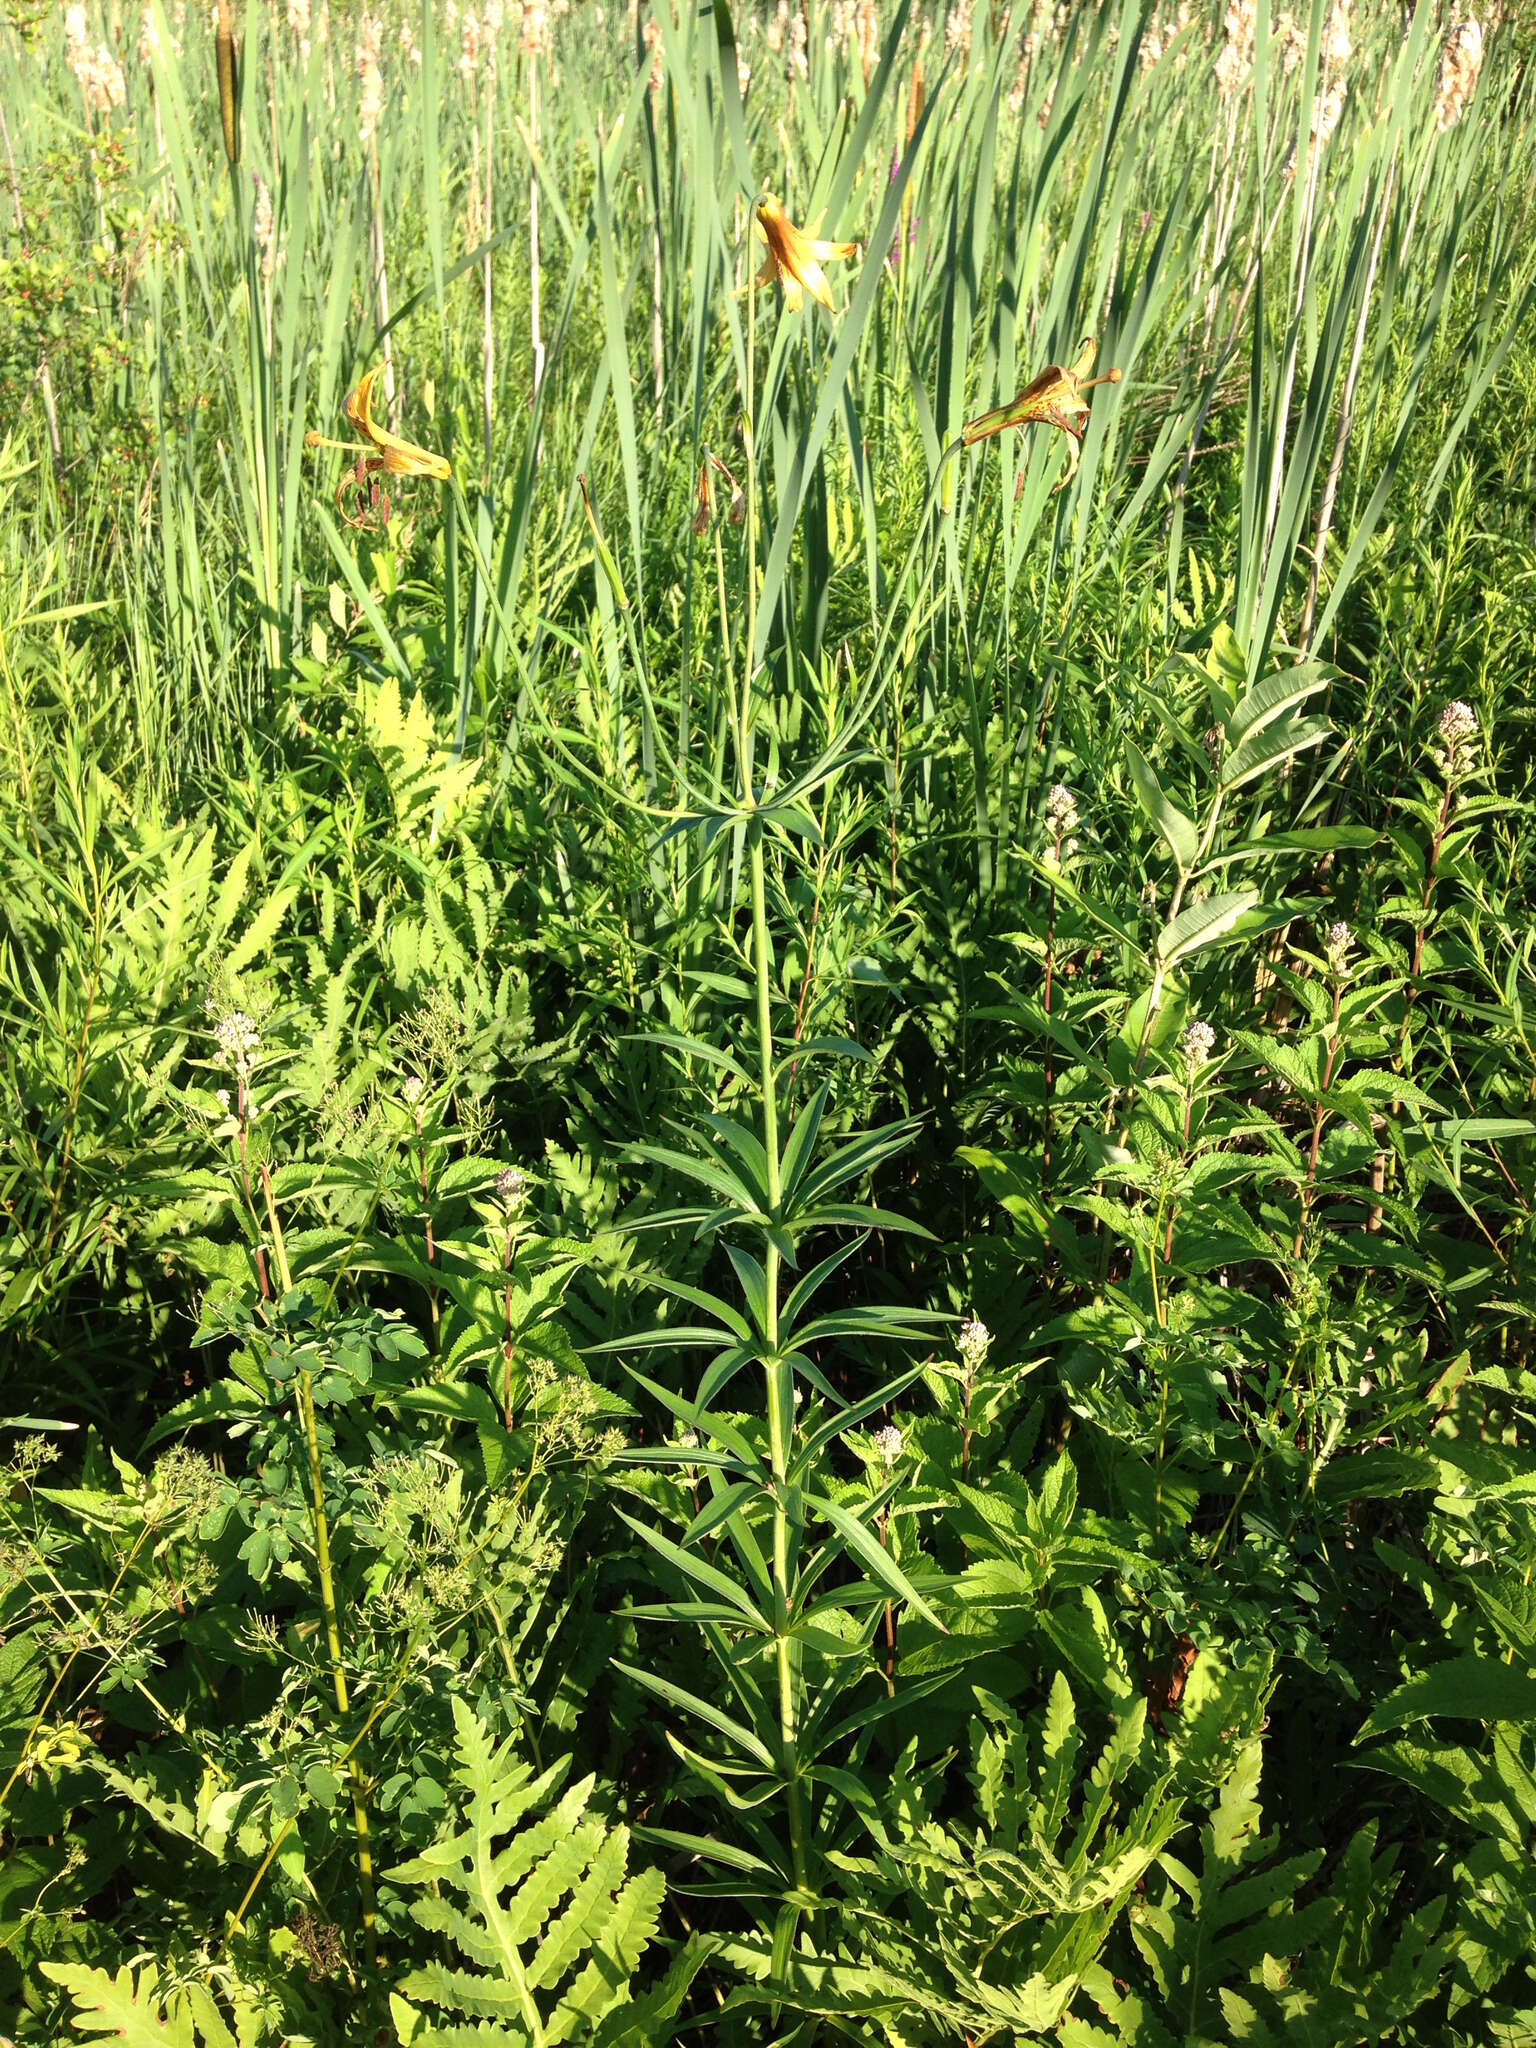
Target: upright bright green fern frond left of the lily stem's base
536	1902
